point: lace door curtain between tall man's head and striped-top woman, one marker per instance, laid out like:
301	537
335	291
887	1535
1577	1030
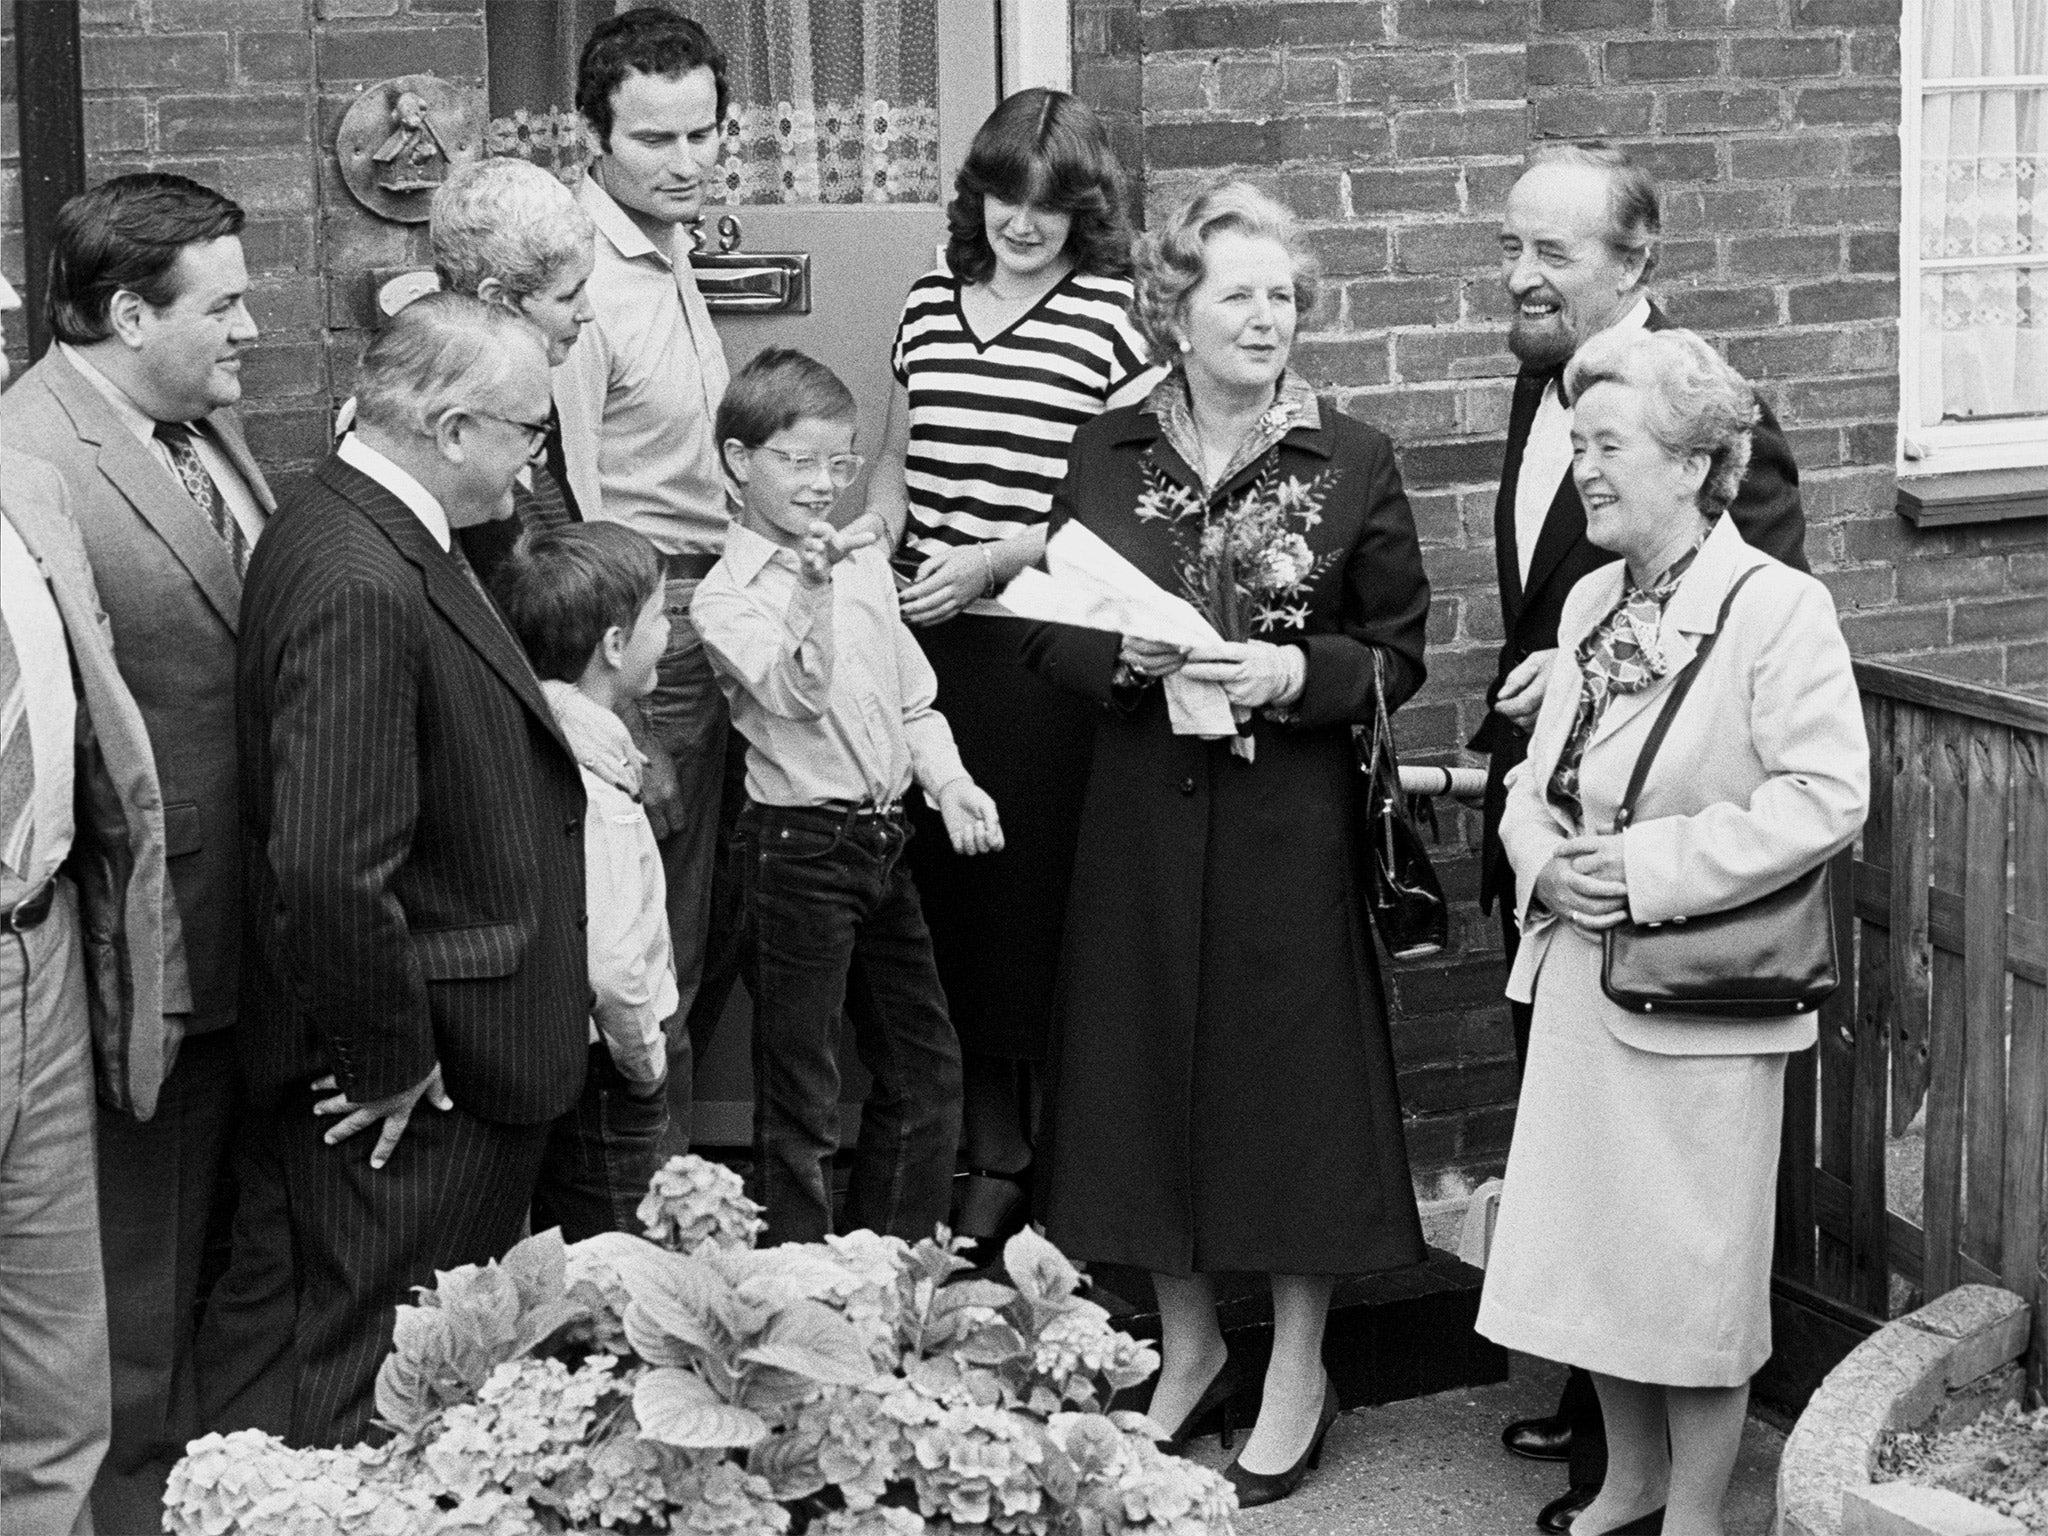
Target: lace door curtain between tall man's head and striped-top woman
833	101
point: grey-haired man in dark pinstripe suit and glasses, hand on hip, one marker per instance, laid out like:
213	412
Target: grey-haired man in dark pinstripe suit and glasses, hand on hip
415	851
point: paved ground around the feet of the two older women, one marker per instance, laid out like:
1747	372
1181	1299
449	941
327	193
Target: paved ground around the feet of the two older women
1435	1465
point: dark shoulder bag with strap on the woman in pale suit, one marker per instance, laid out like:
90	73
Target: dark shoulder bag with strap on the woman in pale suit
1764	959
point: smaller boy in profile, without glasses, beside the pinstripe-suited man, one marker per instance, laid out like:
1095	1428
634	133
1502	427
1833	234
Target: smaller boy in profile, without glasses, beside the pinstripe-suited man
587	605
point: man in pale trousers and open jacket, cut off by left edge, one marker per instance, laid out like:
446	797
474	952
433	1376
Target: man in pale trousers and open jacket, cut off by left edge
71	740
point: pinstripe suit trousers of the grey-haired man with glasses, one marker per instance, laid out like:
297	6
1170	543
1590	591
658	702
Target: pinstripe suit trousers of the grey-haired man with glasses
456	1193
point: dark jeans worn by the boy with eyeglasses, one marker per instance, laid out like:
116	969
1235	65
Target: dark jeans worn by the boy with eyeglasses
833	921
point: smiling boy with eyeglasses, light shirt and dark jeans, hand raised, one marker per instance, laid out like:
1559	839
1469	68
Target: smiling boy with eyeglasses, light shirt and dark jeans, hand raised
835	701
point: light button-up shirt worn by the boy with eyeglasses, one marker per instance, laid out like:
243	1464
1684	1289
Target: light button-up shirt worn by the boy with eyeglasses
826	683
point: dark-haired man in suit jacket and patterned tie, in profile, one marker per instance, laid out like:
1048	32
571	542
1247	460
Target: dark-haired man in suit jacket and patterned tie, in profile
136	409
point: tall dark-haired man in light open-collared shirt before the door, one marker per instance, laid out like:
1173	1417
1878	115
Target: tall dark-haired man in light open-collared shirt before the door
638	398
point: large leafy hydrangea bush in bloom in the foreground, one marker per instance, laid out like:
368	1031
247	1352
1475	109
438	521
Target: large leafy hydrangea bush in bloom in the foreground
693	1383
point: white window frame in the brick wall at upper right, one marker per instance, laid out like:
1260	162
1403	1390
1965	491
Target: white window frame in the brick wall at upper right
1955	447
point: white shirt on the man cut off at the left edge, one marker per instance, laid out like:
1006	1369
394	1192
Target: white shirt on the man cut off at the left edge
36	628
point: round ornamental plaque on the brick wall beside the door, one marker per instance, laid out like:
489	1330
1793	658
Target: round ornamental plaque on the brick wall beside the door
402	138
